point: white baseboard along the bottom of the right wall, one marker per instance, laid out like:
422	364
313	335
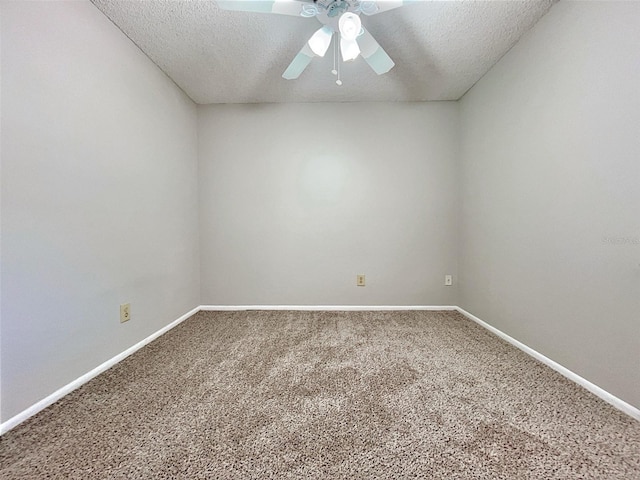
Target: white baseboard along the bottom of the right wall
574	377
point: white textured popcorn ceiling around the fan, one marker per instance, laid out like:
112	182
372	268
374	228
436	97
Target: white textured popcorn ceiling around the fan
441	48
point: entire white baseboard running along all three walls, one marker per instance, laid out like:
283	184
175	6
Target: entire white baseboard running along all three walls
58	394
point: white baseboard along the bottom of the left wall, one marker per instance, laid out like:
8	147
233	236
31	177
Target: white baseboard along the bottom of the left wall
61	392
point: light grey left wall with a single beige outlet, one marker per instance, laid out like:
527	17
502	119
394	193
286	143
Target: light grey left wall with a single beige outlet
99	202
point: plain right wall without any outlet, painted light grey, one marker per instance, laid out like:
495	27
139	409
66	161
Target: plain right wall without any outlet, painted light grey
550	151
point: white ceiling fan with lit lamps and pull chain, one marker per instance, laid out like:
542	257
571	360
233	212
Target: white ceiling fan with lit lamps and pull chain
339	17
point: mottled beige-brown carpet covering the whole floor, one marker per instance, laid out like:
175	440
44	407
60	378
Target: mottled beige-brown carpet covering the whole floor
324	395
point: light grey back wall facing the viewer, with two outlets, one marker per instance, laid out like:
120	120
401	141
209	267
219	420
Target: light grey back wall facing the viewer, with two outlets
297	199
